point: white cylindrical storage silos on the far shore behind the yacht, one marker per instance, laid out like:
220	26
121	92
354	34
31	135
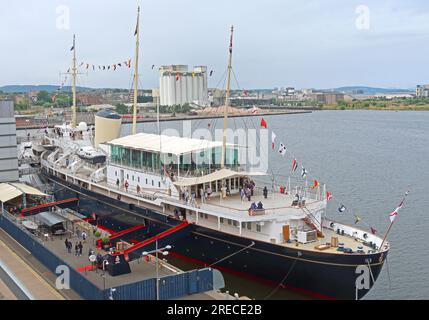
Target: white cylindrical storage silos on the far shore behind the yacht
179	86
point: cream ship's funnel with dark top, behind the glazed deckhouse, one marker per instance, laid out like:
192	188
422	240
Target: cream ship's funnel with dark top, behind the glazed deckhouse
107	126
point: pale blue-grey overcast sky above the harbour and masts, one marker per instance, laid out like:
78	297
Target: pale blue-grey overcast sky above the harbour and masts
277	43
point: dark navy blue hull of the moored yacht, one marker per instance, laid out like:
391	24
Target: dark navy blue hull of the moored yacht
317	274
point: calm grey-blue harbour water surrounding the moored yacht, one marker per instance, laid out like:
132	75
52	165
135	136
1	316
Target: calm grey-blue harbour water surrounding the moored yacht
368	159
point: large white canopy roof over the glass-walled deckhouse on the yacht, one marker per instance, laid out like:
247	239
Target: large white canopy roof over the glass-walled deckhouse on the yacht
165	144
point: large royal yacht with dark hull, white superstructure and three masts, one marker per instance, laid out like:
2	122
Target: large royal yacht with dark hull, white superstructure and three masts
188	192
